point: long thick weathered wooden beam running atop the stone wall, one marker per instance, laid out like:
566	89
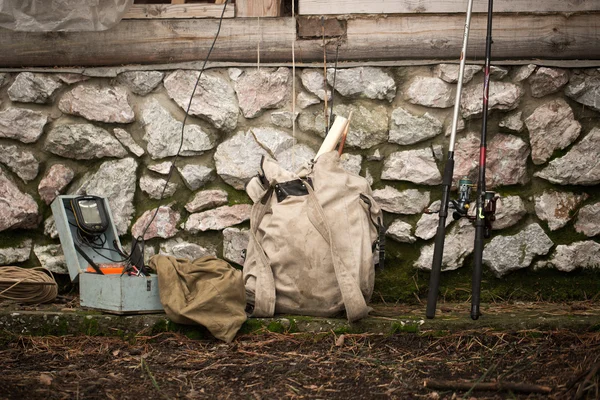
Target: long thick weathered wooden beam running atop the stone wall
409	37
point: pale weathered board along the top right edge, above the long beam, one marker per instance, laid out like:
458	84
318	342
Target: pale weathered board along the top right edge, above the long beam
321	7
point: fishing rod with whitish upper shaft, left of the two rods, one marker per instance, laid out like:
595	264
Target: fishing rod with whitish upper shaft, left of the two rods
463	204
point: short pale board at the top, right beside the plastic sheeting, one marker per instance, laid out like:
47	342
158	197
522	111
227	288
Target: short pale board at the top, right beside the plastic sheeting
180	10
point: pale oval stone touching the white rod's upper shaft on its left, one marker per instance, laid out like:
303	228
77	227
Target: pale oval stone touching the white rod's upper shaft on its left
430	92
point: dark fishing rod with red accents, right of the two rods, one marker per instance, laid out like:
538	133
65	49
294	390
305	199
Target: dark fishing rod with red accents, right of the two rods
486	201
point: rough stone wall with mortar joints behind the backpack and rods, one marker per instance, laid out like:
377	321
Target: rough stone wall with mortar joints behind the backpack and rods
116	137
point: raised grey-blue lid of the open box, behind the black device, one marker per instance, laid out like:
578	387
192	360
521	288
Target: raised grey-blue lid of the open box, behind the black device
68	235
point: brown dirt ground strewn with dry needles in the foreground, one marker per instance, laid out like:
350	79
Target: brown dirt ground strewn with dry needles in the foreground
272	366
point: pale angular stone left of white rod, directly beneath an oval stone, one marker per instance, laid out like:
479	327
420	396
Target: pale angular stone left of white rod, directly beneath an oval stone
407	128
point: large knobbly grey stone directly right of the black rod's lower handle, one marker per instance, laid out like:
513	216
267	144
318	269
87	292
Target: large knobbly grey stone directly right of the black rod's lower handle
504	254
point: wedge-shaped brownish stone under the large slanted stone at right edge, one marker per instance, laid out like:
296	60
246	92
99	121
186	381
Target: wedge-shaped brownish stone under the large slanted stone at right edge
557	208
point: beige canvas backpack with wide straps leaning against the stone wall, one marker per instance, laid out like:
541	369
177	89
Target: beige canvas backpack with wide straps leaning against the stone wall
312	240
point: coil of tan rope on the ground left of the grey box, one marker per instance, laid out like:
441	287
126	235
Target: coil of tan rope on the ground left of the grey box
27	285
